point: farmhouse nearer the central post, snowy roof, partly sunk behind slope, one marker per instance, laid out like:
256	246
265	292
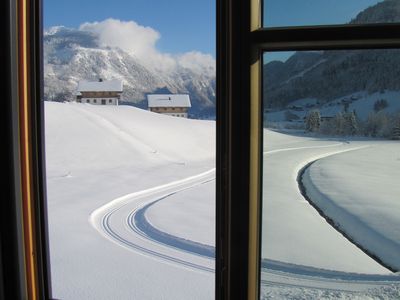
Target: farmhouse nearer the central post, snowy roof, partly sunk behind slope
172	105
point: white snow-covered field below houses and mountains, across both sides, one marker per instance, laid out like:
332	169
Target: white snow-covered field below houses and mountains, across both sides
131	210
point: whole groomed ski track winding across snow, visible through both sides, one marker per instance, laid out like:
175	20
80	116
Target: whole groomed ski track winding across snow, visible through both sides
285	274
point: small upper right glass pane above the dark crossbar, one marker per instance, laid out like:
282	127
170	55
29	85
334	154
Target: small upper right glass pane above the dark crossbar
278	13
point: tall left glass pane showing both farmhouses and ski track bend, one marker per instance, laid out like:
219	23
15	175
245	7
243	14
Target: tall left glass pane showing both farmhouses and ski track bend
131	200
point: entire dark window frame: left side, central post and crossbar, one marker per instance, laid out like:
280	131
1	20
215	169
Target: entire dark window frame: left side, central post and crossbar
240	43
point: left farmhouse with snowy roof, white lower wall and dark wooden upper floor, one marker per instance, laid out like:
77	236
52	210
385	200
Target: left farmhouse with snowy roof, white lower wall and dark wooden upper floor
99	92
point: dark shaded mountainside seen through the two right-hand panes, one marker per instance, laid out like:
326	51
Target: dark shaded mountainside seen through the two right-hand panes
330	75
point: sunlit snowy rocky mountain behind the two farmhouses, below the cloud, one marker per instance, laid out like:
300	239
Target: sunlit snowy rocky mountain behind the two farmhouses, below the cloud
71	55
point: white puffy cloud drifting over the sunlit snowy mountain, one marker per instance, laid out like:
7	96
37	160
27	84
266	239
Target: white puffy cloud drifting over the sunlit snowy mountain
141	42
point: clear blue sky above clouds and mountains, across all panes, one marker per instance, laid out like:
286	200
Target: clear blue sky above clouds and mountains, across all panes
187	25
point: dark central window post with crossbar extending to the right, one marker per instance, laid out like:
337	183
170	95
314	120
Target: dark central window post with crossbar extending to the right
243	41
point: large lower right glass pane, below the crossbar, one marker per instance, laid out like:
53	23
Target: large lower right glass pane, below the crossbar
330	219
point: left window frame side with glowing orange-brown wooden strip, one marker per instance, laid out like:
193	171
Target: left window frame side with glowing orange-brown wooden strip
25	201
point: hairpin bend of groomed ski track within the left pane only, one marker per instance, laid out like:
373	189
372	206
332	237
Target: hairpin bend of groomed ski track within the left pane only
137	241
